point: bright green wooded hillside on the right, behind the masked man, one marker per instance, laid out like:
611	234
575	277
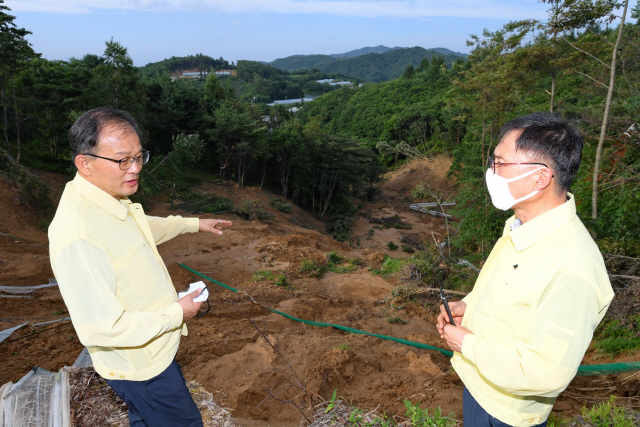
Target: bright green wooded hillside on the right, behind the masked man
459	110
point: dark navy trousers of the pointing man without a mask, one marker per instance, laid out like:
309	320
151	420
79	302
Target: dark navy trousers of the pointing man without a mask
162	401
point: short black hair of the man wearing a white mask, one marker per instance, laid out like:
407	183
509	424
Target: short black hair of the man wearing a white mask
551	140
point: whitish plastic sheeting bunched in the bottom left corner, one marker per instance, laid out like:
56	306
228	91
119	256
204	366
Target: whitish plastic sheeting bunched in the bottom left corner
40	399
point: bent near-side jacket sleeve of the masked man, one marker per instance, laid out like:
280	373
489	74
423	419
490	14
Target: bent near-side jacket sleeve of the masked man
556	339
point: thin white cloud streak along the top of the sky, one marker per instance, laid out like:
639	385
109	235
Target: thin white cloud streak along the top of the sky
502	9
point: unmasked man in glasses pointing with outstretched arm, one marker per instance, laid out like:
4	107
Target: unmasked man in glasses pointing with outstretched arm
114	283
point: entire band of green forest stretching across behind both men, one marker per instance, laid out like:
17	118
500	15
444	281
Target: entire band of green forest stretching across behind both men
436	106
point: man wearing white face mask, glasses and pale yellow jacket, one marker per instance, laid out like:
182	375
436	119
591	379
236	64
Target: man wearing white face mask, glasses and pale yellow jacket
523	330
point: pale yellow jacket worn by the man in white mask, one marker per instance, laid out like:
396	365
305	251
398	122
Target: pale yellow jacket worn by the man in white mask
534	307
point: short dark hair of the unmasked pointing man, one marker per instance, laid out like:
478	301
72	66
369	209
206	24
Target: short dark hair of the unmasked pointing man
85	132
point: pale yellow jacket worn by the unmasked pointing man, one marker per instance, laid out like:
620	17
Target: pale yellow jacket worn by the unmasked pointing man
116	287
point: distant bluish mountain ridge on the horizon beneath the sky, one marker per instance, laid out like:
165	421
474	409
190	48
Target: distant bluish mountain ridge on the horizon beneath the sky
374	67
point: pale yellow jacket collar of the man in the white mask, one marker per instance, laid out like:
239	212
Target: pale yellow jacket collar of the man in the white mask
541	226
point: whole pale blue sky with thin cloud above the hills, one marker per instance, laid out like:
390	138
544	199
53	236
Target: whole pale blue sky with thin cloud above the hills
258	30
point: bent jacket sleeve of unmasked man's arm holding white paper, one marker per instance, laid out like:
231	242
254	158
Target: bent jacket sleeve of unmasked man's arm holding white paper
87	282
